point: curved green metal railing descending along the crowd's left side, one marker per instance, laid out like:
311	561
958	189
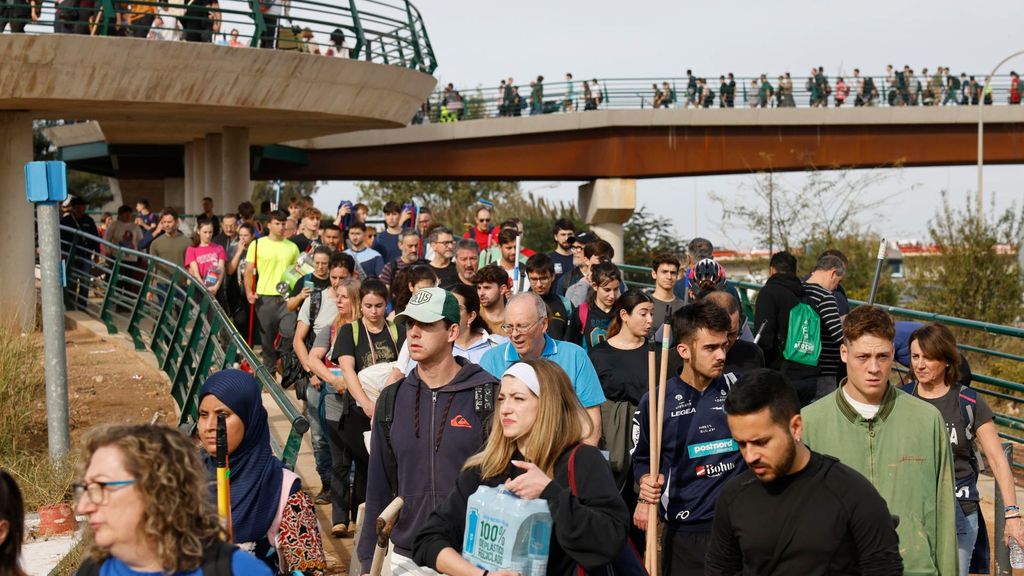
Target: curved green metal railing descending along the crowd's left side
167	311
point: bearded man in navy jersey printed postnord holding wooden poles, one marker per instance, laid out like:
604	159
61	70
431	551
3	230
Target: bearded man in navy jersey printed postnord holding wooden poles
699	455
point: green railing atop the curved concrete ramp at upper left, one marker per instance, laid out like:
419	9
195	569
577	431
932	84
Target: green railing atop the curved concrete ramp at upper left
390	32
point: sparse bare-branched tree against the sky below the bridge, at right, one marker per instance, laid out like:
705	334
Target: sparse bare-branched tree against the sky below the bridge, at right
825	207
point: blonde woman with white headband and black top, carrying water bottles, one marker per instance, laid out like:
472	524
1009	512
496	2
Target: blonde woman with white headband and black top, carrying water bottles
537	433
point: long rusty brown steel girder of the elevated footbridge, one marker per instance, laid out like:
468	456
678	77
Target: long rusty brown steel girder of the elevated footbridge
650	152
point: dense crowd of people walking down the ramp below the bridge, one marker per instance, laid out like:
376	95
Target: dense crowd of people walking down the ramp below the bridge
476	361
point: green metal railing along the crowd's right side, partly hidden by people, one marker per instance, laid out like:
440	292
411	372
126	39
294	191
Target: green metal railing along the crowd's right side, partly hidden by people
1000	392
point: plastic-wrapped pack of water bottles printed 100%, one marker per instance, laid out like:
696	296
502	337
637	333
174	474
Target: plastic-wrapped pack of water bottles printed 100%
506	532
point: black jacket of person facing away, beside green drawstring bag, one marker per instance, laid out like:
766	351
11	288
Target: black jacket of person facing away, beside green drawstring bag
780	296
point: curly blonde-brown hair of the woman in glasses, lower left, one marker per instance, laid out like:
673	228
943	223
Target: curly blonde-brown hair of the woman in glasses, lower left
181	519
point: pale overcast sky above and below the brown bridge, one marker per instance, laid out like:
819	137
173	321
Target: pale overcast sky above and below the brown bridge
478	44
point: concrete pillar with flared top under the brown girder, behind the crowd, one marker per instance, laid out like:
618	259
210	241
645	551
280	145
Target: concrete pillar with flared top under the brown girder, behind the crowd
606	204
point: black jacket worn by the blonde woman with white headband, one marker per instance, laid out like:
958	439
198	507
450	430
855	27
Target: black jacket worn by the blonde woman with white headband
589	530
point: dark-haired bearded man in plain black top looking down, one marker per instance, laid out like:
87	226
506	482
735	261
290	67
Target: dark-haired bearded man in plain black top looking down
793	512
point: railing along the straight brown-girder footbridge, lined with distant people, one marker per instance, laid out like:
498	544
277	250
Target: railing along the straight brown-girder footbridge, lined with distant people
641	94
